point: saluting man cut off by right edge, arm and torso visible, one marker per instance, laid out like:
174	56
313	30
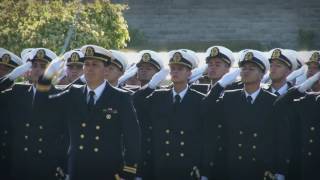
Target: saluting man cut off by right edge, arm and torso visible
303	138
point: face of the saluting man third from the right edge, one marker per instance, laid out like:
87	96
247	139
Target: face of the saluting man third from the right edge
250	73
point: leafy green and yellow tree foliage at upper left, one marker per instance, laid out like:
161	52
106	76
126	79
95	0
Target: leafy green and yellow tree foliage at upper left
34	23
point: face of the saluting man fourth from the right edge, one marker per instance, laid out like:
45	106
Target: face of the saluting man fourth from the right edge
217	68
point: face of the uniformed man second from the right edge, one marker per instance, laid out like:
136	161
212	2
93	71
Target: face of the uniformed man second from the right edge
278	71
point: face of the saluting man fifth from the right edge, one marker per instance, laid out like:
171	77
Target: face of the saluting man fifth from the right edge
179	73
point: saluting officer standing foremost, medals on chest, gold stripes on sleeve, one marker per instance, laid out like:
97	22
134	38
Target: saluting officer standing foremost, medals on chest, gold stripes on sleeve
101	121
